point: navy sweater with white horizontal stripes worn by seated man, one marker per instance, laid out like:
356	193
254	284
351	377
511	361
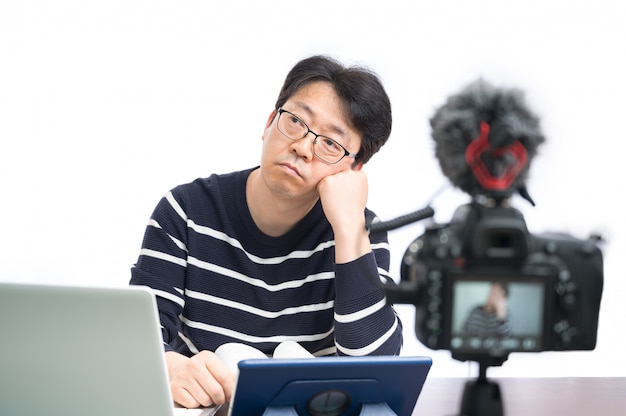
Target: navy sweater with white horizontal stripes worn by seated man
219	279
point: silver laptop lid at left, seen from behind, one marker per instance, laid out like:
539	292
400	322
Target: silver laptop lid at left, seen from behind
82	351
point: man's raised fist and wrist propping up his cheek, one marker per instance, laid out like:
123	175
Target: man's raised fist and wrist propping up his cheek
344	196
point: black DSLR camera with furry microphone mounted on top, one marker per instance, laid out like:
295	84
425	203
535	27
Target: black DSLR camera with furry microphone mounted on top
483	286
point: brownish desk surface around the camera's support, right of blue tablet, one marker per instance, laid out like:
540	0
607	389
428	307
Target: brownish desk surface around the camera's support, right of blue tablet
532	396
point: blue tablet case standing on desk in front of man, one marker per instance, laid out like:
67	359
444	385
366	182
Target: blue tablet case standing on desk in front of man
330	386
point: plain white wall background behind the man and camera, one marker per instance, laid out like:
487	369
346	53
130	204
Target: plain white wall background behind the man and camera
105	105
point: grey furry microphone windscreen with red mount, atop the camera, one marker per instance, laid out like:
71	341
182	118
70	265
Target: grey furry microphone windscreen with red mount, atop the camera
507	122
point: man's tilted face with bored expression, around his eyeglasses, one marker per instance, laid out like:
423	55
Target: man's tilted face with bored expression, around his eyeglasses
291	168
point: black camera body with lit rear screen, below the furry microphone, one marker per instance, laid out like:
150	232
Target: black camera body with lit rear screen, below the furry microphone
553	286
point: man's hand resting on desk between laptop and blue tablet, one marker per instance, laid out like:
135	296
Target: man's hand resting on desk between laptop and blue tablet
200	381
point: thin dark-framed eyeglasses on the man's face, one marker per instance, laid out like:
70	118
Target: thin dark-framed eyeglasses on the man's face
327	149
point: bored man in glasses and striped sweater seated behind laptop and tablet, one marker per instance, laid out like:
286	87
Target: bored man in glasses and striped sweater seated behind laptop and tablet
281	251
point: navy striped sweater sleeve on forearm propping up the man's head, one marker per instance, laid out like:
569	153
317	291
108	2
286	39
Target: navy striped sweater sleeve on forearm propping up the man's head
364	323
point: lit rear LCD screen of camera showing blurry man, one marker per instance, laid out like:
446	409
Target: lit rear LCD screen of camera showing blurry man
491	315
